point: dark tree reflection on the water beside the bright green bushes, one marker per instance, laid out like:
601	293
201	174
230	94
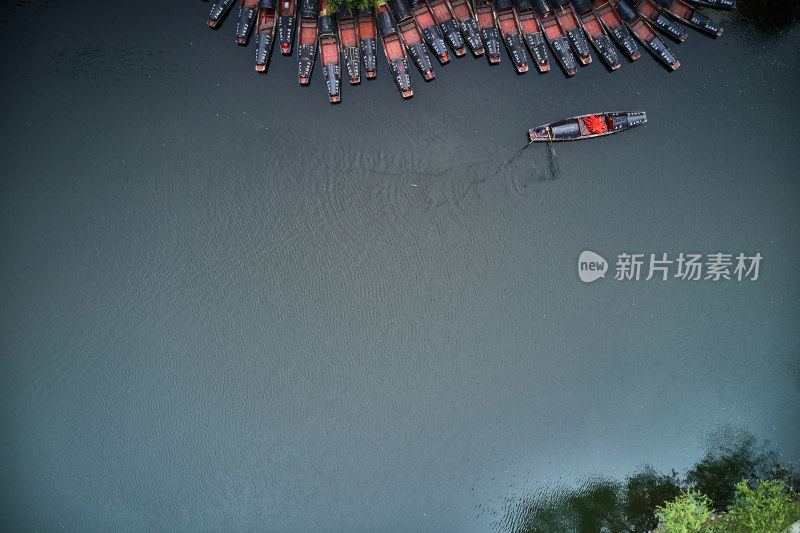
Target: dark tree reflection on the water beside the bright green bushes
599	504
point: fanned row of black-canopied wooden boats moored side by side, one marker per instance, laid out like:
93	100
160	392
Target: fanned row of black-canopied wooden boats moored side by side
434	27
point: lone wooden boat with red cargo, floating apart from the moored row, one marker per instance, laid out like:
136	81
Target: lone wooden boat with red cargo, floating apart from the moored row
587	126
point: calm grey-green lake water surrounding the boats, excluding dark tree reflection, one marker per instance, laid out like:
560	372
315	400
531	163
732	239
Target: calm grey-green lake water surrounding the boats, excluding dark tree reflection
231	306
